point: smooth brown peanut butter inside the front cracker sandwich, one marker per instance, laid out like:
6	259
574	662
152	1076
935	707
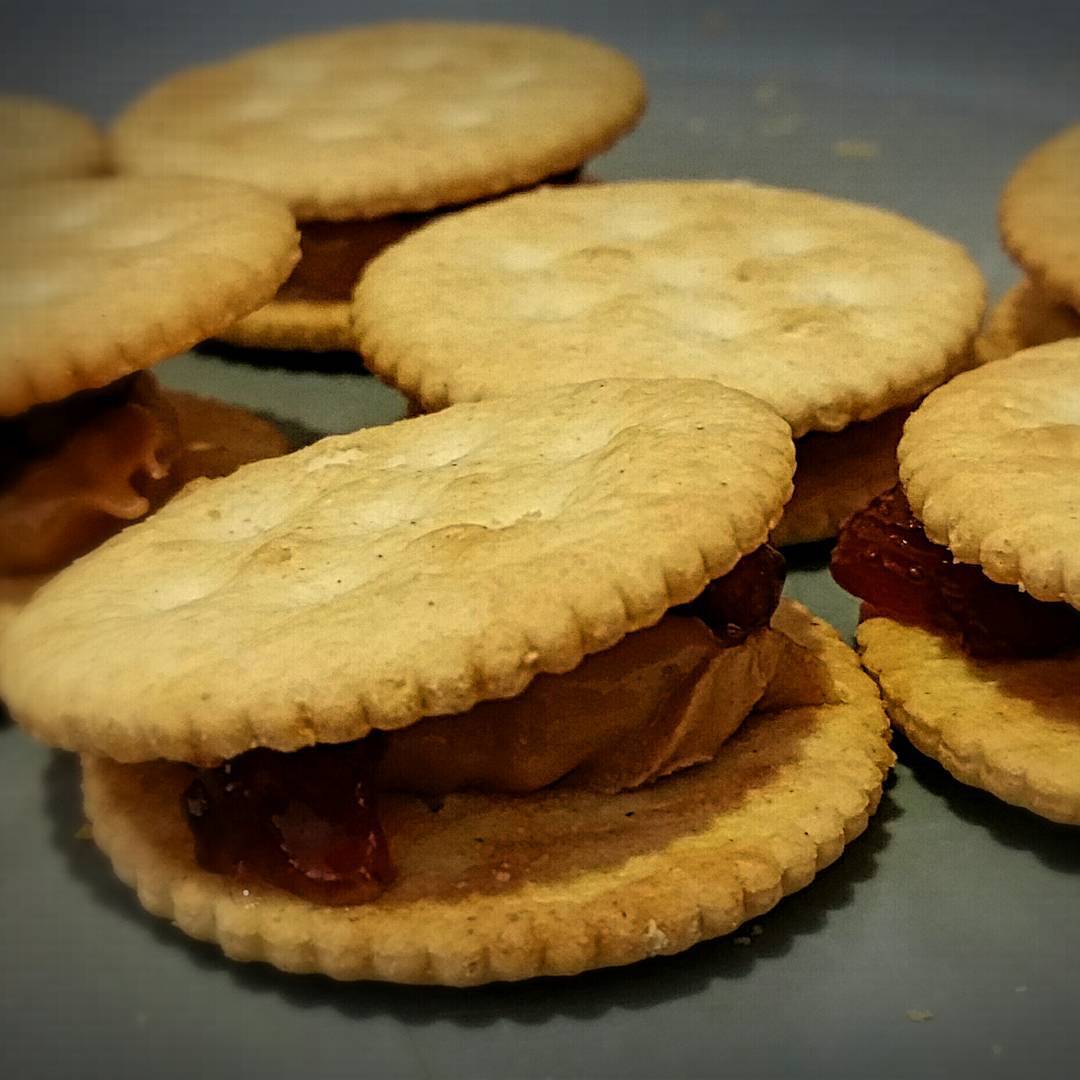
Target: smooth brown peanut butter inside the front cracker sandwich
661	700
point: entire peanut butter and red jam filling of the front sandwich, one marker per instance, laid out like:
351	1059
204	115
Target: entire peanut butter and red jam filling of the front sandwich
660	700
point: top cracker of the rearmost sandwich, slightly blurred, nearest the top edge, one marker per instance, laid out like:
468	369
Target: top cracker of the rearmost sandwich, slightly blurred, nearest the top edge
398	117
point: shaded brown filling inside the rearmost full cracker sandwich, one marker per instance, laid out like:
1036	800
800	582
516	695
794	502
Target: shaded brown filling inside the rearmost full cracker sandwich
333	254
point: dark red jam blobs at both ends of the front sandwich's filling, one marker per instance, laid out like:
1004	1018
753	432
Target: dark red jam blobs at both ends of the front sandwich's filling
308	822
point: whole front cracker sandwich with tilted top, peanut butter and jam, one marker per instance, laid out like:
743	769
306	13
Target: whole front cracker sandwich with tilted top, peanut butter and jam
572	751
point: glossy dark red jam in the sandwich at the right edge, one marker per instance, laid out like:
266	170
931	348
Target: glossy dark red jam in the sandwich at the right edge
884	557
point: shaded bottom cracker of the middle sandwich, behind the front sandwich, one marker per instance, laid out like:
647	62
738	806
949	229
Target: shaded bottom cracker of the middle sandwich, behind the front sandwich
838	474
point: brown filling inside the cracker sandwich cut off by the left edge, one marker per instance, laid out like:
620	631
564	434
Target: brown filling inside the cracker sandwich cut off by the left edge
75	472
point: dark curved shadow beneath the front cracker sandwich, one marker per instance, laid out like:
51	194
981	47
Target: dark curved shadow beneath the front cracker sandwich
535	1002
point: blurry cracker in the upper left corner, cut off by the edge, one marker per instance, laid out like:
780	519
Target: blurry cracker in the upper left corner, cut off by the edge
42	141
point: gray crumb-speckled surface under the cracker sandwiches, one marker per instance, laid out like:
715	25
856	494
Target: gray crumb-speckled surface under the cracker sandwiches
953	904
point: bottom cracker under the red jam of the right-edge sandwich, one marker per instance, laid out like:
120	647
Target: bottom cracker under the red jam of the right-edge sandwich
1010	727
